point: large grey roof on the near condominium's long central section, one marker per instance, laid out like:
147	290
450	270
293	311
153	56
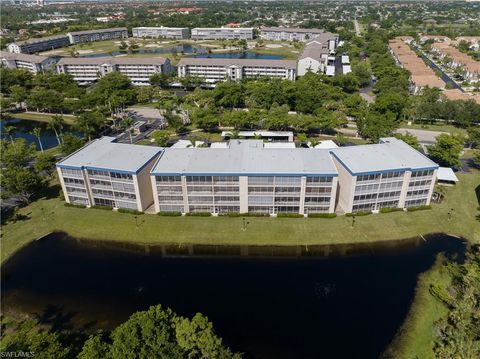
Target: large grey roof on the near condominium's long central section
245	157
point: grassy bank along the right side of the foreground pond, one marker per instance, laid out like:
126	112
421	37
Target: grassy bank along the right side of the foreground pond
417	334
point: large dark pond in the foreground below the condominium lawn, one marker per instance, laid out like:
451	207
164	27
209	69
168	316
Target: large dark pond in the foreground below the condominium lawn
346	305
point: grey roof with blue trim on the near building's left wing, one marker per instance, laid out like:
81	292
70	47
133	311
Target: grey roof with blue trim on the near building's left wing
105	154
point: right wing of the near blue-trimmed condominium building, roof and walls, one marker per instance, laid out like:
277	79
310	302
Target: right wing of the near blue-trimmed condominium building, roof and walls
390	174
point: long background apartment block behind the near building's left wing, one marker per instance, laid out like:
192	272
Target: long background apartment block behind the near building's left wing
138	70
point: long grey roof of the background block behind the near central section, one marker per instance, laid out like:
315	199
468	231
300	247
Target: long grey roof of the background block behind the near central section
292	64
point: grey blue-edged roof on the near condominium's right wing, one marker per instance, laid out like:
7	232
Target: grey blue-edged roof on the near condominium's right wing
389	155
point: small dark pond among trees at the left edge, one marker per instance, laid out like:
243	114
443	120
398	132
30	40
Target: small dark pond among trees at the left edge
25	127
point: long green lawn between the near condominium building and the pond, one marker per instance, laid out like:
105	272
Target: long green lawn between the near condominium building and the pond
47	215
